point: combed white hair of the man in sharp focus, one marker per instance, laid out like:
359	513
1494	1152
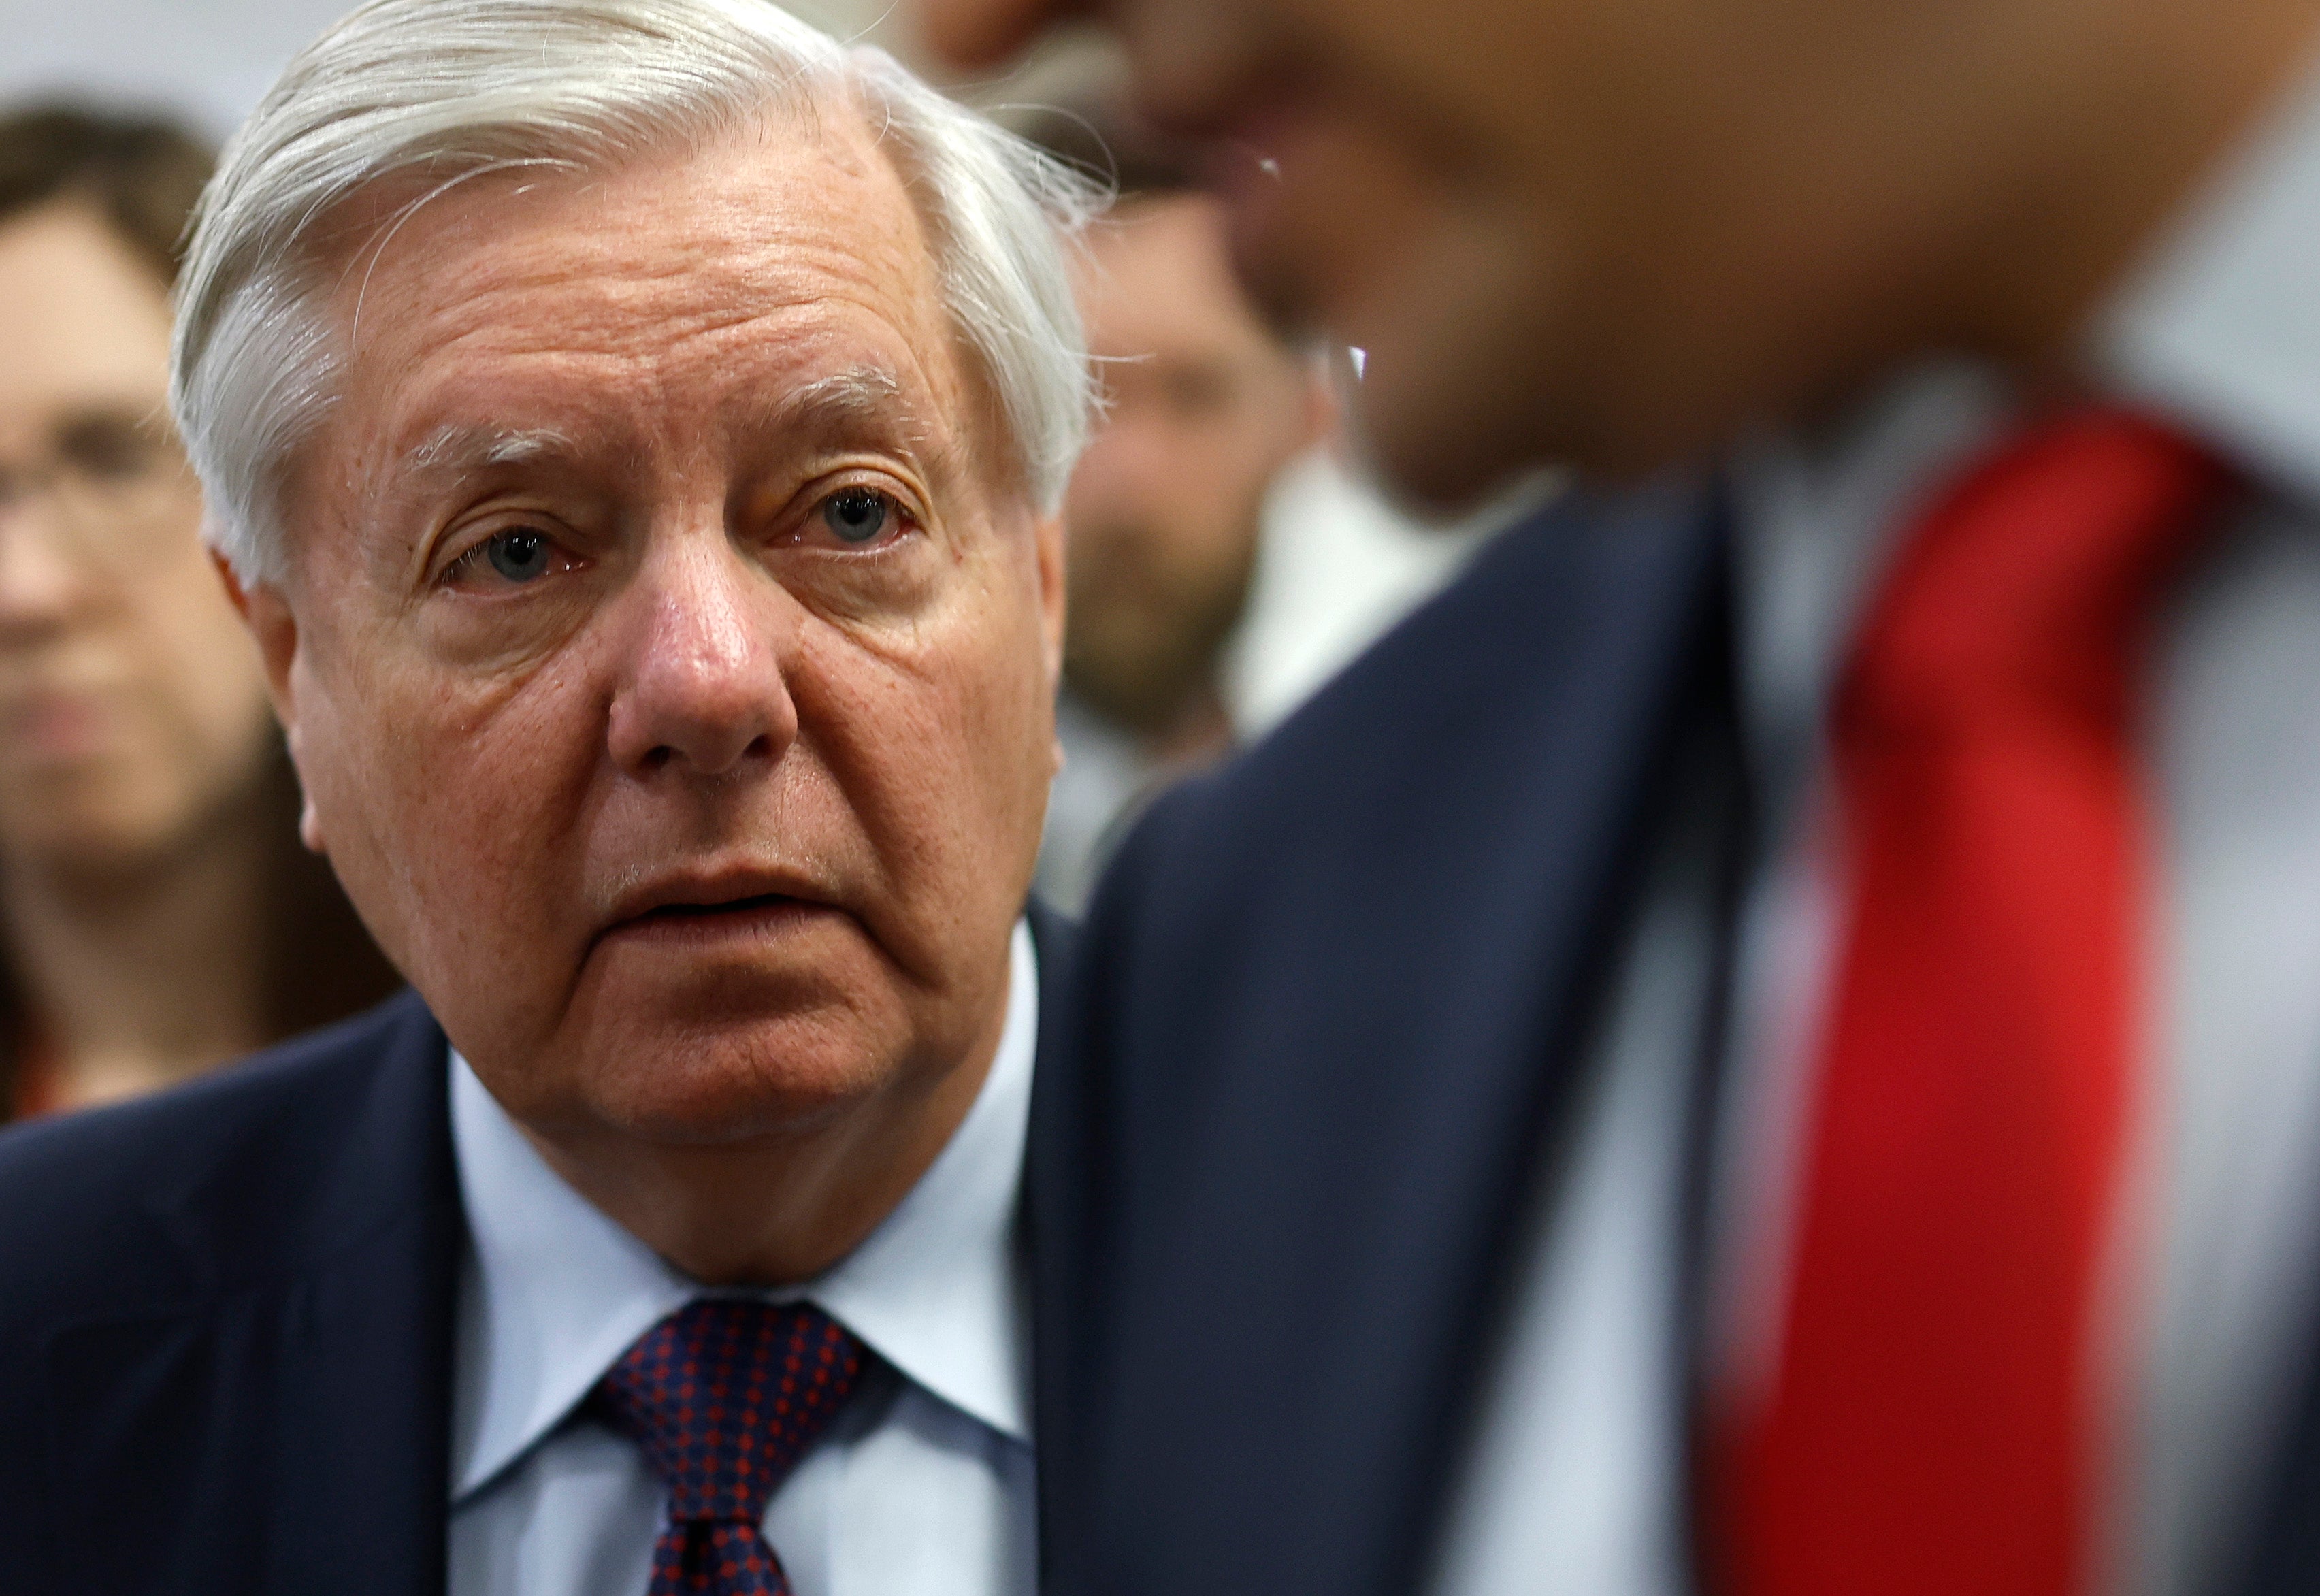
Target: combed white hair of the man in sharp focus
442	92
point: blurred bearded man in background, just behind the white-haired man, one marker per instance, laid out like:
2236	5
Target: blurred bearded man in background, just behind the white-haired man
1166	509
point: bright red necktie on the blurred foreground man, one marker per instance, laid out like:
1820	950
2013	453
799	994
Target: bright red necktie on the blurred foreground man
1934	1421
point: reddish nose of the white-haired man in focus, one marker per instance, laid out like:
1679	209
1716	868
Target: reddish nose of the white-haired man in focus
704	685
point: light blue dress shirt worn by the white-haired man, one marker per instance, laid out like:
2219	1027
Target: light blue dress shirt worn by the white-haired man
922	1488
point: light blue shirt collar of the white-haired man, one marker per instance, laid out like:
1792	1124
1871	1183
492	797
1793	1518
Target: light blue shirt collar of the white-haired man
553	1291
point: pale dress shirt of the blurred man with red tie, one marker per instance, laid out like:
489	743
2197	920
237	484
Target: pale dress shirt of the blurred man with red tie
1576	1479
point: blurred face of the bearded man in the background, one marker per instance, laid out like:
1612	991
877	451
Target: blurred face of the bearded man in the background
1163	514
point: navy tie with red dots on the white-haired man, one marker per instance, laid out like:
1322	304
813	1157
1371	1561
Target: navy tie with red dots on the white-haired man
725	1398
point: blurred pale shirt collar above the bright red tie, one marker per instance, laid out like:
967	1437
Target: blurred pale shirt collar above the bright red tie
2219	333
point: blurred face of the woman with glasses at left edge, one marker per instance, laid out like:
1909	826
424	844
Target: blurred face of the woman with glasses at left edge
131	704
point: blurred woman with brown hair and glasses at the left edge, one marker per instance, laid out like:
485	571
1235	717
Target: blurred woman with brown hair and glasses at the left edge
157	908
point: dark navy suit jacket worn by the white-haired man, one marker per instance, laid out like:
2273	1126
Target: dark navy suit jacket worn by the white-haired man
226	1323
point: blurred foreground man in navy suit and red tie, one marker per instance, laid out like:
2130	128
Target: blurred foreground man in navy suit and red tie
1767	1040
